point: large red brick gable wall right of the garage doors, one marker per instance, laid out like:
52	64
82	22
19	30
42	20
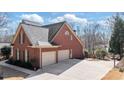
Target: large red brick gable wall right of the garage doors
66	42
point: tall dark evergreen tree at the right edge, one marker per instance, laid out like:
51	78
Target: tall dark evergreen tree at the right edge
117	38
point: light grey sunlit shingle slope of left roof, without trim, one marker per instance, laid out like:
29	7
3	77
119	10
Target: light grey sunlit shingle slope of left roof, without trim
36	33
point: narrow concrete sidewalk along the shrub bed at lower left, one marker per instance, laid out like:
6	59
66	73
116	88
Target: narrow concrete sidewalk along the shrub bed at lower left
2	63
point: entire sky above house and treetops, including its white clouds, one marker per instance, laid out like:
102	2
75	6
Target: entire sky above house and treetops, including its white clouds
77	18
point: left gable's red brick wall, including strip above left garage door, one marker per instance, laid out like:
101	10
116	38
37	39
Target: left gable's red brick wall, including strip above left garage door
33	52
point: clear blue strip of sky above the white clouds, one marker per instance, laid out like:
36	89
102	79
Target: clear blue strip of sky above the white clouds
89	15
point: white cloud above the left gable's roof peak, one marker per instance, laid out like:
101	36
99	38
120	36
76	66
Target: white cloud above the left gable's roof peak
33	17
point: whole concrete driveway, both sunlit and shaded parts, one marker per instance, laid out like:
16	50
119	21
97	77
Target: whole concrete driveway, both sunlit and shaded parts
75	69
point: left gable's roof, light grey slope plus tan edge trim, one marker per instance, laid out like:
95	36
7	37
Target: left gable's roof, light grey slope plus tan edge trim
34	33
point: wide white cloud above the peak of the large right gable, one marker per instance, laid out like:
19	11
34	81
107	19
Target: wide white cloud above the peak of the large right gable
70	18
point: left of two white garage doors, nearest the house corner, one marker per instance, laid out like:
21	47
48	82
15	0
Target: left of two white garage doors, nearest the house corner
48	58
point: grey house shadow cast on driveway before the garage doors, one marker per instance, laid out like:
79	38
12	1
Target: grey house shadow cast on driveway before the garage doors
58	68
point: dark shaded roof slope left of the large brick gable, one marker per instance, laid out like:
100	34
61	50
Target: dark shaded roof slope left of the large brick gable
53	29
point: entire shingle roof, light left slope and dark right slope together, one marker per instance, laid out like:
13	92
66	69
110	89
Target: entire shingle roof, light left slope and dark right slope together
44	33
